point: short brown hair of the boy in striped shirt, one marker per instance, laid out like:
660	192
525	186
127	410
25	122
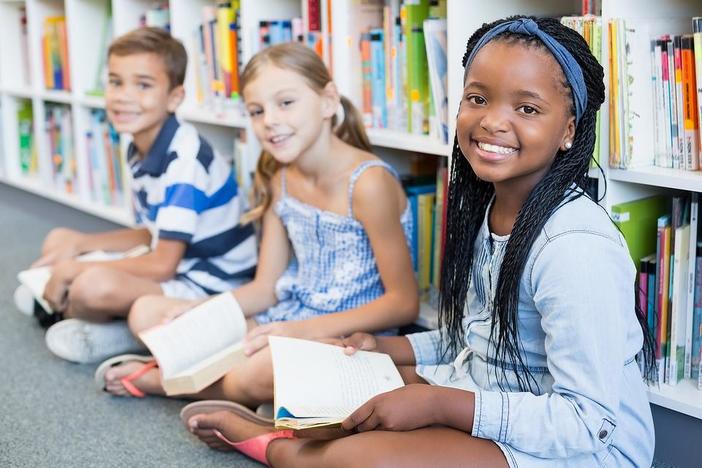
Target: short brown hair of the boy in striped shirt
156	41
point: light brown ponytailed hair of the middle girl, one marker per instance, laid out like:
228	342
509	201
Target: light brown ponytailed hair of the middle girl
305	62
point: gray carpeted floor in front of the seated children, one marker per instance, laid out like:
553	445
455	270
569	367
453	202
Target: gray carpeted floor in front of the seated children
51	414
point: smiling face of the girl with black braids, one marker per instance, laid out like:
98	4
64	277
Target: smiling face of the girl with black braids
514	115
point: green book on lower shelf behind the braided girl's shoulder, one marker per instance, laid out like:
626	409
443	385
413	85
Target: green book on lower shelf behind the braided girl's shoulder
638	220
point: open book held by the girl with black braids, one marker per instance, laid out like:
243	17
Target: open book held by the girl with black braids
317	385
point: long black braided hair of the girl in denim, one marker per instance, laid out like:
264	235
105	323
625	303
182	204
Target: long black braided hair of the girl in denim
468	198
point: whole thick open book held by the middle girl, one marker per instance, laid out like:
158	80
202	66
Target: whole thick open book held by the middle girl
199	347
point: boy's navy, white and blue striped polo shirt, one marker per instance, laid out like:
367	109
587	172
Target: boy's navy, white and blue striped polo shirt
185	191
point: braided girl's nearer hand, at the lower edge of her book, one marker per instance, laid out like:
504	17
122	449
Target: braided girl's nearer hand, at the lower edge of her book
404	409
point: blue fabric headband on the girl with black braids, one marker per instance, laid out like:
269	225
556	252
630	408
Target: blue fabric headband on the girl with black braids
573	72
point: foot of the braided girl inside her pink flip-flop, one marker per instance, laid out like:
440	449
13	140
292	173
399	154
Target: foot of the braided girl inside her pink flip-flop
228	425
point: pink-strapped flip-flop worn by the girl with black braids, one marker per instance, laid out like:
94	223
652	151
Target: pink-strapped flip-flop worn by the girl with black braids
254	447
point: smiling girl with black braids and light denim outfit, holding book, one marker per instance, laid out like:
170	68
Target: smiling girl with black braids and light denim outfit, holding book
535	361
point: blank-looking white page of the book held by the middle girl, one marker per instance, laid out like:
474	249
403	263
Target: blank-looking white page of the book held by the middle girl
197	334
